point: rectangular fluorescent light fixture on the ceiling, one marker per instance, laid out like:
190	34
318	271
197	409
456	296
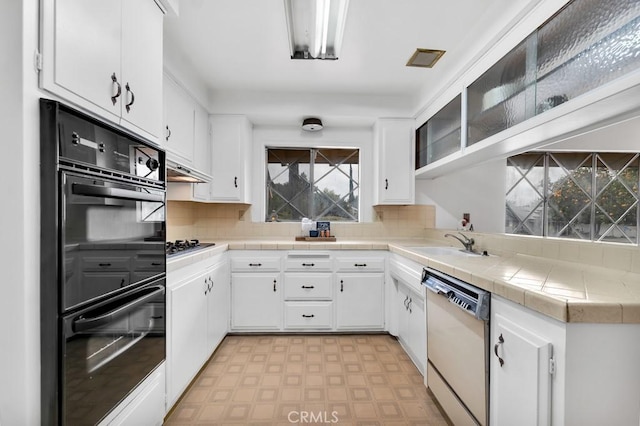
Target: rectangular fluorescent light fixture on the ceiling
315	27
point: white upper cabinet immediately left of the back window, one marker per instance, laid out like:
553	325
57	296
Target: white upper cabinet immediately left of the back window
231	137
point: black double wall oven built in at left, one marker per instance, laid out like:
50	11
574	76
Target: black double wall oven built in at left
103	265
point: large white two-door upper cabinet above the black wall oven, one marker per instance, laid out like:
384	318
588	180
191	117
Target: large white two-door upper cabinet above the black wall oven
106	57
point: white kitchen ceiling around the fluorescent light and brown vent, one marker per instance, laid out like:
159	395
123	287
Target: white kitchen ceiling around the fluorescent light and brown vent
238	50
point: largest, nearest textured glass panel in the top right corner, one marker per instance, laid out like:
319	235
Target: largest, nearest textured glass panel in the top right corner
587	44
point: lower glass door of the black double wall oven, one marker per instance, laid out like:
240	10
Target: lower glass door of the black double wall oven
108	349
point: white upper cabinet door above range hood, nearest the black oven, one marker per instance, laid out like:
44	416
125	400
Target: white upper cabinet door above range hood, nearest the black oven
179	122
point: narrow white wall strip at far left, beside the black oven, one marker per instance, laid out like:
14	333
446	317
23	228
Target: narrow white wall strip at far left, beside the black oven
19	304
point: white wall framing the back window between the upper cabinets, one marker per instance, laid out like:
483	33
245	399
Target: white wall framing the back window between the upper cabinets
263	136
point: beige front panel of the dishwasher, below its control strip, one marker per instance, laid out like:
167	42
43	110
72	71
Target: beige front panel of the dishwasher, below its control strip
457	350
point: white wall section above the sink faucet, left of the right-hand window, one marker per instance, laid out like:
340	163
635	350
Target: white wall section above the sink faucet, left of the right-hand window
479	190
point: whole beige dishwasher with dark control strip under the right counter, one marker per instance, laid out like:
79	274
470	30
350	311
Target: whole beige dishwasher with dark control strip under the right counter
457	347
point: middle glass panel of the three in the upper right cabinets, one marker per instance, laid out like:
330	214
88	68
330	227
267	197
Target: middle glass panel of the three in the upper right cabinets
504	95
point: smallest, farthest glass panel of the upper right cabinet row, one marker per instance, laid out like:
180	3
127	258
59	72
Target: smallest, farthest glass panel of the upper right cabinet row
440	135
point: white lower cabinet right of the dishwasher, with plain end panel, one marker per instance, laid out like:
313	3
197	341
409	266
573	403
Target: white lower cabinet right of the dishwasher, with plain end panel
593	378
